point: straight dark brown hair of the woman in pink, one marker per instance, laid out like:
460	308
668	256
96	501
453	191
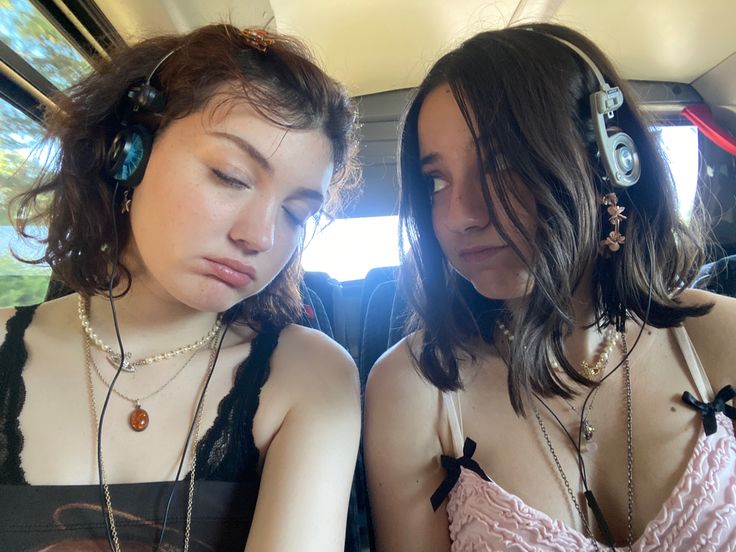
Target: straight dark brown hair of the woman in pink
527	94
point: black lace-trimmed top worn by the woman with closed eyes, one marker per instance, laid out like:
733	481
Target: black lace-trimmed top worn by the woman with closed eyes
35	517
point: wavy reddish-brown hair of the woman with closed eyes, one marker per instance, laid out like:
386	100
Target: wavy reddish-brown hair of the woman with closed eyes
282	83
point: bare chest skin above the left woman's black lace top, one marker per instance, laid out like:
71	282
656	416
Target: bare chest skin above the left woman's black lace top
59	419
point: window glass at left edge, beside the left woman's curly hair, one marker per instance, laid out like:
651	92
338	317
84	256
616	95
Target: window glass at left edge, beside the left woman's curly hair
20	162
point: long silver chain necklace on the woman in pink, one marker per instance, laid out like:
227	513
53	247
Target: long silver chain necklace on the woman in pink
629	458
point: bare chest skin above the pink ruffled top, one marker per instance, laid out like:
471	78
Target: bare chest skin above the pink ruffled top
528	456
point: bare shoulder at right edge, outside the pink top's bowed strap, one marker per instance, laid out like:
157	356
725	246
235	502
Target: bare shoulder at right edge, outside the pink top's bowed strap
713	335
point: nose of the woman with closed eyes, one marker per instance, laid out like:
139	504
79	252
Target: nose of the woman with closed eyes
255	226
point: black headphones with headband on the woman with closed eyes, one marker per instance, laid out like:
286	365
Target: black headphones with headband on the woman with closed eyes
127	156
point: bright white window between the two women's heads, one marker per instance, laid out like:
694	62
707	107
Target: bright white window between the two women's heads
348	248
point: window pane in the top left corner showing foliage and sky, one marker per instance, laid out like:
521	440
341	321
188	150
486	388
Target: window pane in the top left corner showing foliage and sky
26	31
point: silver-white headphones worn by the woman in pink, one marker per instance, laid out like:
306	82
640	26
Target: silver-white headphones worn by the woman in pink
618	152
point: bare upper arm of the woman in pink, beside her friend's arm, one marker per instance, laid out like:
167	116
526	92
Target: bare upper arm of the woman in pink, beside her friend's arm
402	448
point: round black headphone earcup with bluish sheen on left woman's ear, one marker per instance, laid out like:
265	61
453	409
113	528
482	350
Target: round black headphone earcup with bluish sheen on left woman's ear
128	155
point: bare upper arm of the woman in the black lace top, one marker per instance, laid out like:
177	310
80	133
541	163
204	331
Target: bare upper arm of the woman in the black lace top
305	486
